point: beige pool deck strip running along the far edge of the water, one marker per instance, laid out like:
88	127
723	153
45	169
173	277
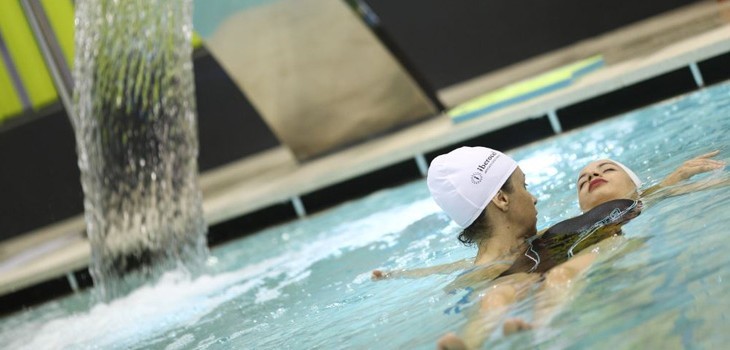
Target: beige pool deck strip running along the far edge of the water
274	177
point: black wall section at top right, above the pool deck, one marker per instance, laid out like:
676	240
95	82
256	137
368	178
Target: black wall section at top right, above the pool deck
449	41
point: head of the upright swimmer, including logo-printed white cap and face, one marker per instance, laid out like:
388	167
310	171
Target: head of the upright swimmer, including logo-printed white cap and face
466	180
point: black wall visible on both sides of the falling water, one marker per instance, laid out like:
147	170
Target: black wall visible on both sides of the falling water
40	180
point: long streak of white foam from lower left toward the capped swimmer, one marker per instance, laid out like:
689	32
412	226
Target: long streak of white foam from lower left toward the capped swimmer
178	300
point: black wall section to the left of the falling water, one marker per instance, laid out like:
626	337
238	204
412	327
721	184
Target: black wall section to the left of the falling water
39	178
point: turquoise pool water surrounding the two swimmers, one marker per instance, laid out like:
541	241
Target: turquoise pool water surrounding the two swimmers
306	284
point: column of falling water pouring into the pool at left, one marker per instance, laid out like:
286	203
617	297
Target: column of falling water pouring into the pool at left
136	138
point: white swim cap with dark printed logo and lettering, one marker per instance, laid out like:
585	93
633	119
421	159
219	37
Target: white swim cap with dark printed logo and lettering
463	181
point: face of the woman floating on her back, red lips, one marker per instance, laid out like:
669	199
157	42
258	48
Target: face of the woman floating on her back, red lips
602	181
